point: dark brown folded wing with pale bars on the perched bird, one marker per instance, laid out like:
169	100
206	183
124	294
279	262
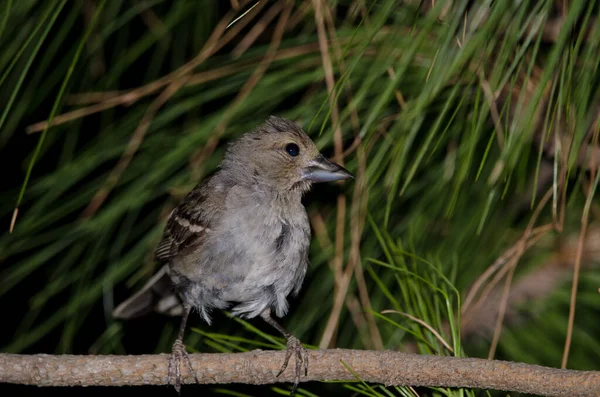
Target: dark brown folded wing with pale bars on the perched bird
188	224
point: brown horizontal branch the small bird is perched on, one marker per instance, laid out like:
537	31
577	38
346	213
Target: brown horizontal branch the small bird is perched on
260	367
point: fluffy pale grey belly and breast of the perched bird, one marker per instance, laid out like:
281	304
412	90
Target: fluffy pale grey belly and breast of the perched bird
253	266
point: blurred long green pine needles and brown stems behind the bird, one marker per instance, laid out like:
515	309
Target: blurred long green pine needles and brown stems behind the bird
471	127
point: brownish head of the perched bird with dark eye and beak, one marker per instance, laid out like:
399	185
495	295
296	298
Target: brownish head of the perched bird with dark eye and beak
281	155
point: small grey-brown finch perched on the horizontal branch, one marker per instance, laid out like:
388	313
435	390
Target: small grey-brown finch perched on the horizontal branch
240	239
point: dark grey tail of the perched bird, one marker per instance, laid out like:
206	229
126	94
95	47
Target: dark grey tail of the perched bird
156	295
